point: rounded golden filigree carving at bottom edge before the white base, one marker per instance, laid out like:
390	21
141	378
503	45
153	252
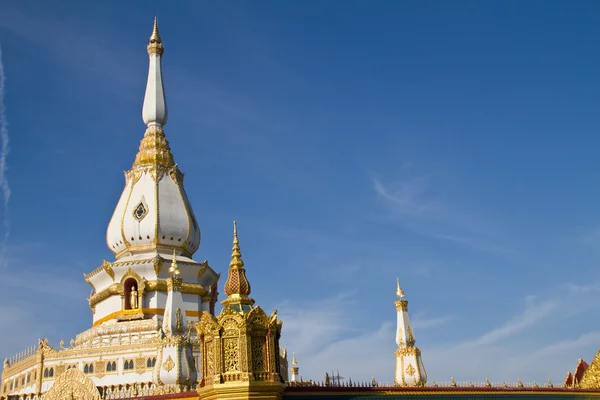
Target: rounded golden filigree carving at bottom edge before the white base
72	384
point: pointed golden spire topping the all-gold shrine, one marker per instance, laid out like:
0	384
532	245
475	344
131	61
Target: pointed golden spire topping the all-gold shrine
237	287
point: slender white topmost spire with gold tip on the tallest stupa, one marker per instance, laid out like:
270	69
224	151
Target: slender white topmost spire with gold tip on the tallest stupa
154	111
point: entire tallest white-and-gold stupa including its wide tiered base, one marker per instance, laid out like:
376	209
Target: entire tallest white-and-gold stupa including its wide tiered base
138	342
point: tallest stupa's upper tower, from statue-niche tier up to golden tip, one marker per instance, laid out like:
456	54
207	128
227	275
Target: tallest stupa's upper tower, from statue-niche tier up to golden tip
153	218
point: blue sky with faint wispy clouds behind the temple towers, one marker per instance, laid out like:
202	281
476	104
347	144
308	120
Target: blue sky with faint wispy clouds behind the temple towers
451	144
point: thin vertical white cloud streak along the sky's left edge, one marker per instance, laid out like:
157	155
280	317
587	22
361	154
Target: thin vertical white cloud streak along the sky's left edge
4	150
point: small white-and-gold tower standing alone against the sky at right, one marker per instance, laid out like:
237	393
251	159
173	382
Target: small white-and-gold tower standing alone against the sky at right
409	366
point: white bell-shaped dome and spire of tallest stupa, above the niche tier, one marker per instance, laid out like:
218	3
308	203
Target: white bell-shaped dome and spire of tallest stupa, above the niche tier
153	214
